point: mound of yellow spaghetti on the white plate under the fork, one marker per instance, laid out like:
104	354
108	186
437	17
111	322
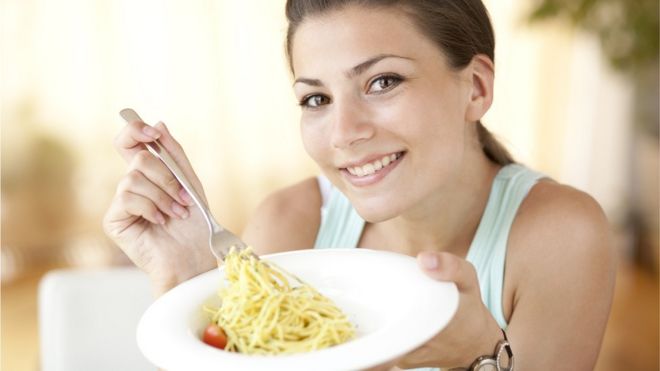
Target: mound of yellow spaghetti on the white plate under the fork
263	313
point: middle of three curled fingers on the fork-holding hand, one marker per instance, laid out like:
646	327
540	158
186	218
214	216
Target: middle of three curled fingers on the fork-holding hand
135	182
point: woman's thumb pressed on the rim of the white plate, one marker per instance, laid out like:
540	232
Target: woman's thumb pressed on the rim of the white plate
444	266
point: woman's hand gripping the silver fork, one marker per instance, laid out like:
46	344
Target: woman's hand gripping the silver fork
150	218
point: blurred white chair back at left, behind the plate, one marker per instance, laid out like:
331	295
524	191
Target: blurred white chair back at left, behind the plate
87	319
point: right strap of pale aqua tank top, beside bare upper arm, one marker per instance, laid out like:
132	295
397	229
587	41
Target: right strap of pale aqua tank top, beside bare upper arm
488	249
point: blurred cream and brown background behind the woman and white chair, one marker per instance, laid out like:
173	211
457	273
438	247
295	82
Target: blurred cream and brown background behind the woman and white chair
576	98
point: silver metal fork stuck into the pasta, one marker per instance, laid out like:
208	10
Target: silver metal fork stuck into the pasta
221	240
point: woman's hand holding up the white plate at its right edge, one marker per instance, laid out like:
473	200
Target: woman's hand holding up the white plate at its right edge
472	331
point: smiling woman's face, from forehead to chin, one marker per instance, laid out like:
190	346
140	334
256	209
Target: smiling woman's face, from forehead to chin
382	113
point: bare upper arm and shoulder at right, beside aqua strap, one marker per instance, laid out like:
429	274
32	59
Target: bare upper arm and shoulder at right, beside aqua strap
562	265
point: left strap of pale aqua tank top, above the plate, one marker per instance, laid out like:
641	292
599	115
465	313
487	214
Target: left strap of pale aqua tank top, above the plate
341	226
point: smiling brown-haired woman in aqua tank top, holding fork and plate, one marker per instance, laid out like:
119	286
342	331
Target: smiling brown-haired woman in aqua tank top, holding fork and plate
392	93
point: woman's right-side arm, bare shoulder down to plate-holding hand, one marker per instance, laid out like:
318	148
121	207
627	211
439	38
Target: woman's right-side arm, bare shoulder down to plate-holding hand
558	289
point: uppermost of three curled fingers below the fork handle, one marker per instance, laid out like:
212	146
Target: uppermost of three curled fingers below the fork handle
156	172
